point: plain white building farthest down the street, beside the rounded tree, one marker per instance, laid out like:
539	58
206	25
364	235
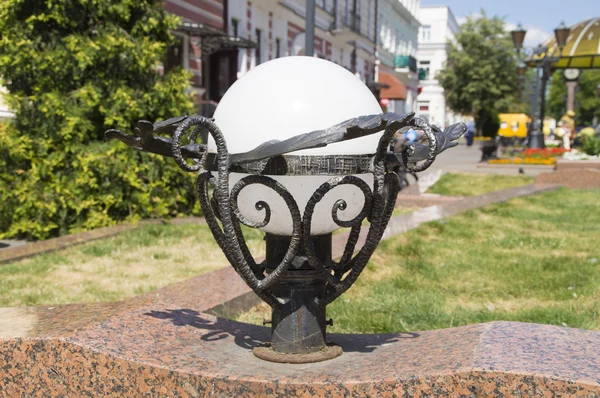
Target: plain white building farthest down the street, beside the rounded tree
438	26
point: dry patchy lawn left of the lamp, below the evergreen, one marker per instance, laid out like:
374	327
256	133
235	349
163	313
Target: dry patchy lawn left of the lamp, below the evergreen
131	263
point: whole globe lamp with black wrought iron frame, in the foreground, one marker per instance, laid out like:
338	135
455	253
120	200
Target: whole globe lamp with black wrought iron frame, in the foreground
322	164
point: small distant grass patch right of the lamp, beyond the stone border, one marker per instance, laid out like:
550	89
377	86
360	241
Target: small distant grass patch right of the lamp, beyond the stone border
465	184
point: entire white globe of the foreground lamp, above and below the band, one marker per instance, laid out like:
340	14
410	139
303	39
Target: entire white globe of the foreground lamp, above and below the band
284	98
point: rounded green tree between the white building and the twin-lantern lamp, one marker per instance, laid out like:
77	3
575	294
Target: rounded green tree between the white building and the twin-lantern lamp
480	76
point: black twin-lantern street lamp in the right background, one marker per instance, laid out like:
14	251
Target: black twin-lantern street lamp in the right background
544	61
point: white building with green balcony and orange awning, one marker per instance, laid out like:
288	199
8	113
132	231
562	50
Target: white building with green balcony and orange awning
397	41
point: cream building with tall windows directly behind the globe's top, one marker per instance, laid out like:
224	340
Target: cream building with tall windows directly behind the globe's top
344	32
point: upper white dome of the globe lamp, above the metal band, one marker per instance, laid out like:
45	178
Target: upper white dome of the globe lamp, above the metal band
294	95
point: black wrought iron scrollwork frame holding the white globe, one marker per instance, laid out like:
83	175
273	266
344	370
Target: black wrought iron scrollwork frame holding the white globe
225	219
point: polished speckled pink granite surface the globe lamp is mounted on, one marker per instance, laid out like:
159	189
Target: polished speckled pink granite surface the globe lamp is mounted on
164	344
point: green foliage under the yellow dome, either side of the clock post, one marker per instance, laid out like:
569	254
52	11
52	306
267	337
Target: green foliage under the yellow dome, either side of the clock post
587	101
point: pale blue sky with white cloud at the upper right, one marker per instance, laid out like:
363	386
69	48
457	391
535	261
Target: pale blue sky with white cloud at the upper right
539	17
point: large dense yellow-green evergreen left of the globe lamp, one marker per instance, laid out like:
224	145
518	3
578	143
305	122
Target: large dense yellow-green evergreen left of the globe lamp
75	68
